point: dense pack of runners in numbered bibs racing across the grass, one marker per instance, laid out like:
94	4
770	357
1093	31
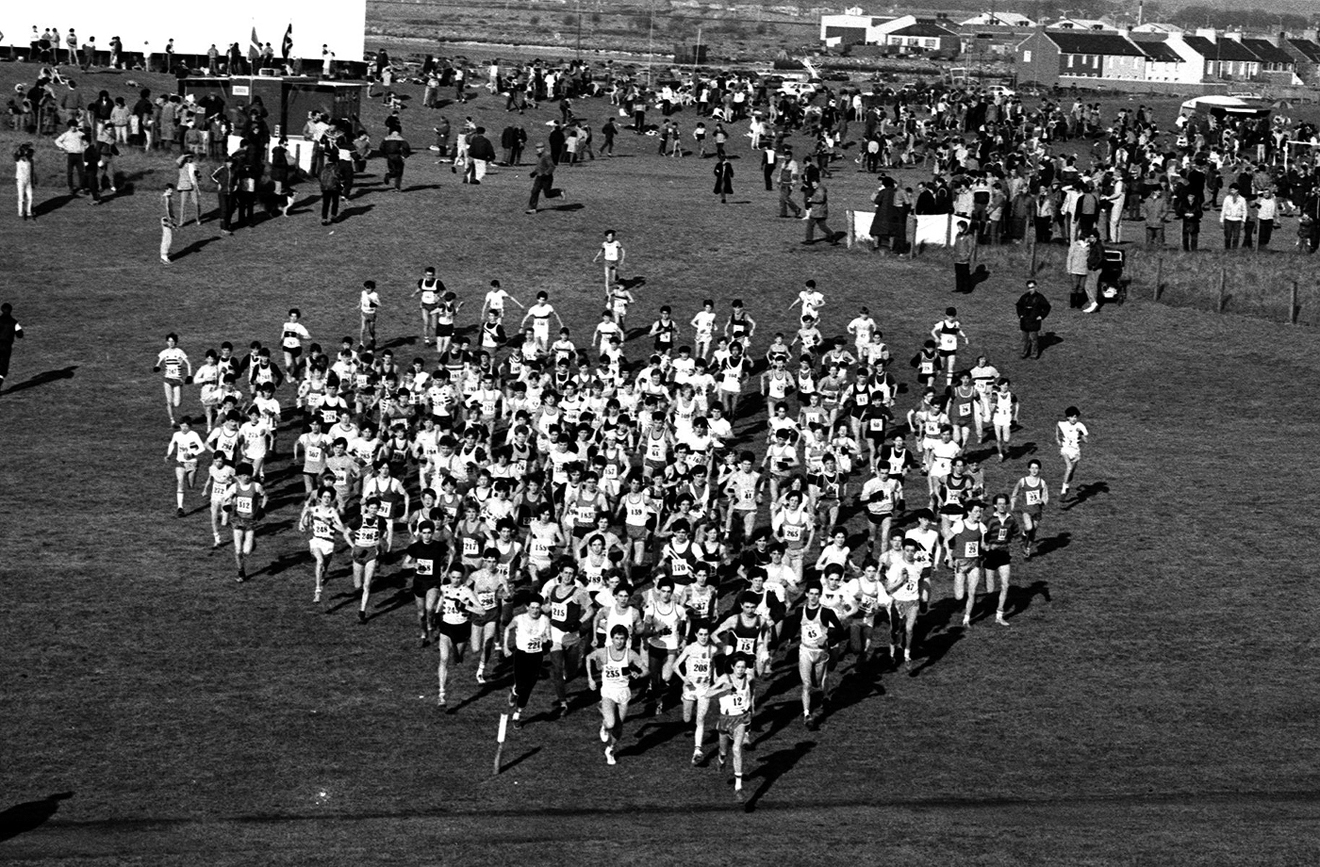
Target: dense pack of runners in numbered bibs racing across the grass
670	523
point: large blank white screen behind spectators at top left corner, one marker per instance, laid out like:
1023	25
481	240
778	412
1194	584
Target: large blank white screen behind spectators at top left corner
341	26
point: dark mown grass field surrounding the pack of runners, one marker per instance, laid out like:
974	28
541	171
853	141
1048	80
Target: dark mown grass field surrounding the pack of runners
1154	701
